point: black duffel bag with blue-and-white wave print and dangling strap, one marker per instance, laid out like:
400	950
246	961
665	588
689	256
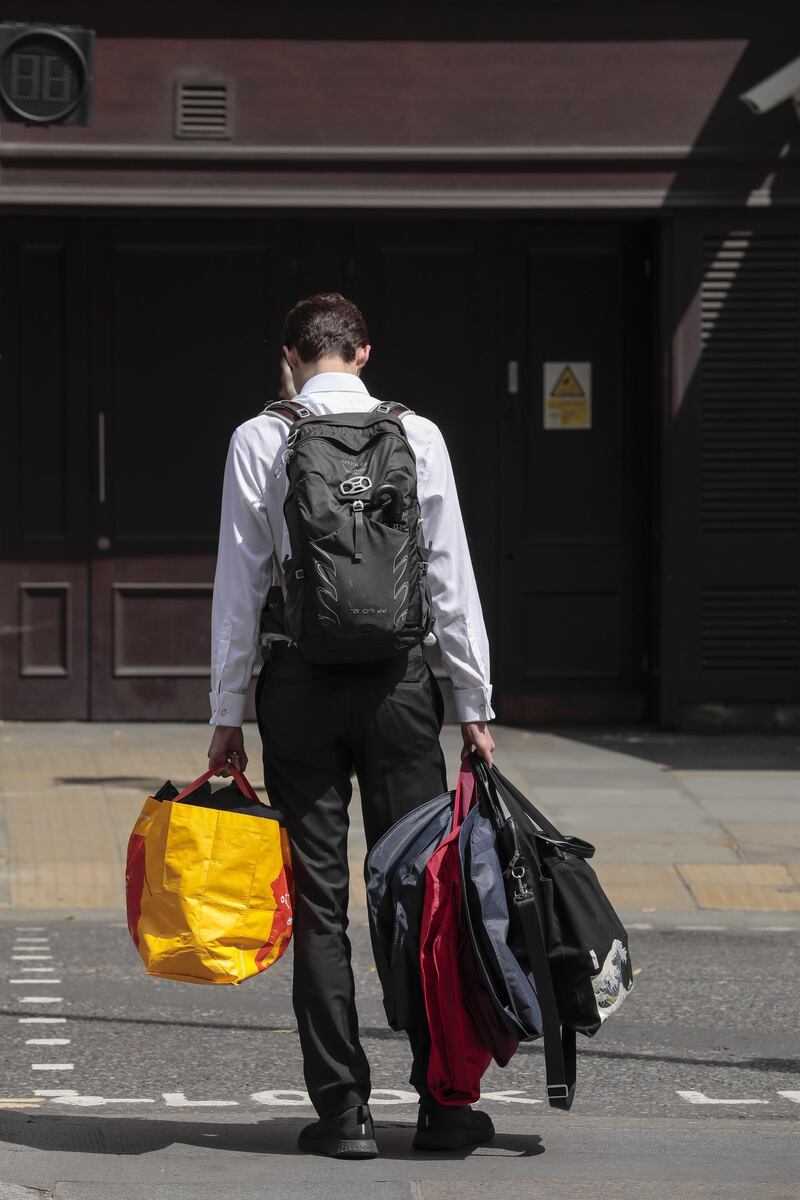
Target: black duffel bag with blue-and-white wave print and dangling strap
563	928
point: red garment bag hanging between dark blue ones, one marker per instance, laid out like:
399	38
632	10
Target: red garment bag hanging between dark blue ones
466	1033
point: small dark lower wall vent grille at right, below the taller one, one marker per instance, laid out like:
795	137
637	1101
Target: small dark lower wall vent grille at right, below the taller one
750	629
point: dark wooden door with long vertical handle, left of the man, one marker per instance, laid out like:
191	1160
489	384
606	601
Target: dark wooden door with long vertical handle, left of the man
187	346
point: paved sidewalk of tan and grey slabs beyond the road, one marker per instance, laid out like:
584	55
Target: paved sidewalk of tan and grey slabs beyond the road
683	825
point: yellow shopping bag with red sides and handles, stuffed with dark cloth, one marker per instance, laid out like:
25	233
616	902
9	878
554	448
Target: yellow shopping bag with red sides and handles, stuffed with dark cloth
209	883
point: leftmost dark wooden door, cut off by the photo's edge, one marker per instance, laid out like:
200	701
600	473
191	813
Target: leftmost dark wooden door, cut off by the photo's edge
45	496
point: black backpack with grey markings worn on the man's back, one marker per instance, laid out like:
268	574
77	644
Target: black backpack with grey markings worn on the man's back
356	580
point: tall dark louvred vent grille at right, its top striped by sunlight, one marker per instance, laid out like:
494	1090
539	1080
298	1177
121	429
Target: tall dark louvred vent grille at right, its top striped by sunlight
750	385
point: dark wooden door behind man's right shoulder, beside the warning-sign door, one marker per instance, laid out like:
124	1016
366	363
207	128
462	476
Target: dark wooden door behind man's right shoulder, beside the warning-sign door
428	290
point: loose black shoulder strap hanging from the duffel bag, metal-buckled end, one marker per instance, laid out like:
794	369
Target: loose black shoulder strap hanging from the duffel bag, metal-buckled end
560	1041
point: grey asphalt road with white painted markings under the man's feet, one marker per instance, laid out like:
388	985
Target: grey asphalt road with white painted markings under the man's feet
119	1085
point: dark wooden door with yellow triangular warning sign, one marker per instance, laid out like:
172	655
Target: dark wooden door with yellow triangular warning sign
573	478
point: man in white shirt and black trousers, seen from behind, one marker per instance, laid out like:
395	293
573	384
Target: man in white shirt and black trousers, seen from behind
318	724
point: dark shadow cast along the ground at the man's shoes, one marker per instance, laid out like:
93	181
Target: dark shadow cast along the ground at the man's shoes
137	1136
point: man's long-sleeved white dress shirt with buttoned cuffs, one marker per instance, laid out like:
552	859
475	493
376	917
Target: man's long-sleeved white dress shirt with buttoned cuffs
254	527
